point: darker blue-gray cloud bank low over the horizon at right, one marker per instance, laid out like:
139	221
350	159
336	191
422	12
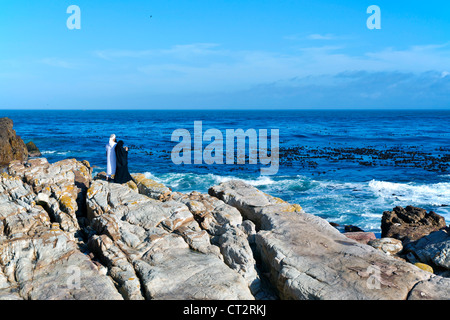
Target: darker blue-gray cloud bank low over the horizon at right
360	89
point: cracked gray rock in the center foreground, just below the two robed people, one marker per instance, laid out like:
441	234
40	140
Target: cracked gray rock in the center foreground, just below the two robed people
159	243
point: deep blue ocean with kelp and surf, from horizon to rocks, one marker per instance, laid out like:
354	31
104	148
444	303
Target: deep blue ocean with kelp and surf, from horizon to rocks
345	166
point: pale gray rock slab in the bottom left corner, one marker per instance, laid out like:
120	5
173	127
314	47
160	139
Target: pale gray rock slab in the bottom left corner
49	266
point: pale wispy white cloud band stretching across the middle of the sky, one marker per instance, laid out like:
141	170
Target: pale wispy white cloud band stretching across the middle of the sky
208	67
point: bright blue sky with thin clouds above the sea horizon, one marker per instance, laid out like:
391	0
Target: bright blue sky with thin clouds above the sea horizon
224	54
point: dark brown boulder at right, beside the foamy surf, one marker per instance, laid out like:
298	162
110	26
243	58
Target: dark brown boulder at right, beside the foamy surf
410	223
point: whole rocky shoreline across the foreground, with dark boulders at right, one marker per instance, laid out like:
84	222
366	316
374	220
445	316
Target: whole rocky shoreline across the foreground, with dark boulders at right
65	234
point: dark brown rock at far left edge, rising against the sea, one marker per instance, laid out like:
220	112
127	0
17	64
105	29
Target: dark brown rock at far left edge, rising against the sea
12	146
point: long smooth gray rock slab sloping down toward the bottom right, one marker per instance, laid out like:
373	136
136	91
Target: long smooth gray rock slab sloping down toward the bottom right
309	259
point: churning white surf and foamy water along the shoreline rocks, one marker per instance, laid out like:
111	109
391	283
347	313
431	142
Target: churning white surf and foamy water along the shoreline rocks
358	203
